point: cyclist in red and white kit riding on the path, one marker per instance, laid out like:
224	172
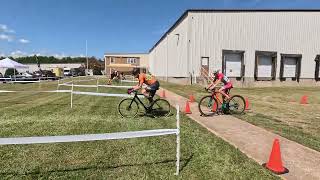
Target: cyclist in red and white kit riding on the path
220	77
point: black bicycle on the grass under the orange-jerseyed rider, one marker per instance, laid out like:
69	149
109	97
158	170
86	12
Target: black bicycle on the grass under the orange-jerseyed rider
129	107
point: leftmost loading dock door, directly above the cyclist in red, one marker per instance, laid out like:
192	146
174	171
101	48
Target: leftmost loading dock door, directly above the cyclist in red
232	63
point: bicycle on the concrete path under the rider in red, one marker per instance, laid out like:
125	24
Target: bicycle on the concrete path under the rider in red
209	105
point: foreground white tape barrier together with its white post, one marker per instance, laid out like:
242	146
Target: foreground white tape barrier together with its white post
105	136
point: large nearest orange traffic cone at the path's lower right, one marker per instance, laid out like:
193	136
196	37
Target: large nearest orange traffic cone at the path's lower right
275	163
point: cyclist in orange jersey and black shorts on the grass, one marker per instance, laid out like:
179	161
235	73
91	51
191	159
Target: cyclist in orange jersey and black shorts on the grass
148	79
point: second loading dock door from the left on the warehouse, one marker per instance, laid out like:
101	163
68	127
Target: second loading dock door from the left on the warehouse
265	66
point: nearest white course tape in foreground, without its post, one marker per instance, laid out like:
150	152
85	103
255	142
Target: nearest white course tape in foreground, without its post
87	137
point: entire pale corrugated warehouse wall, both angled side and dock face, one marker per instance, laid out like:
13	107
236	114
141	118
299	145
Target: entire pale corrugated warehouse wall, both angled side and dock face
211	32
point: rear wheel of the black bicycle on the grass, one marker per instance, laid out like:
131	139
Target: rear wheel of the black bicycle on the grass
160	108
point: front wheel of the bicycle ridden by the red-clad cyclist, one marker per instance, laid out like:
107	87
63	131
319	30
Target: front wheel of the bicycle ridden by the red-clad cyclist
208	106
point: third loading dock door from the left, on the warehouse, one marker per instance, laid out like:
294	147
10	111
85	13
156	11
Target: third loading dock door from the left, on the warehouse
290	67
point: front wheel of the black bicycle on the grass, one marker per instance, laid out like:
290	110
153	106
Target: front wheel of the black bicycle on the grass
128	108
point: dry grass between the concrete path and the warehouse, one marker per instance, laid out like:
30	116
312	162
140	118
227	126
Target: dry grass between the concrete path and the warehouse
277	109
